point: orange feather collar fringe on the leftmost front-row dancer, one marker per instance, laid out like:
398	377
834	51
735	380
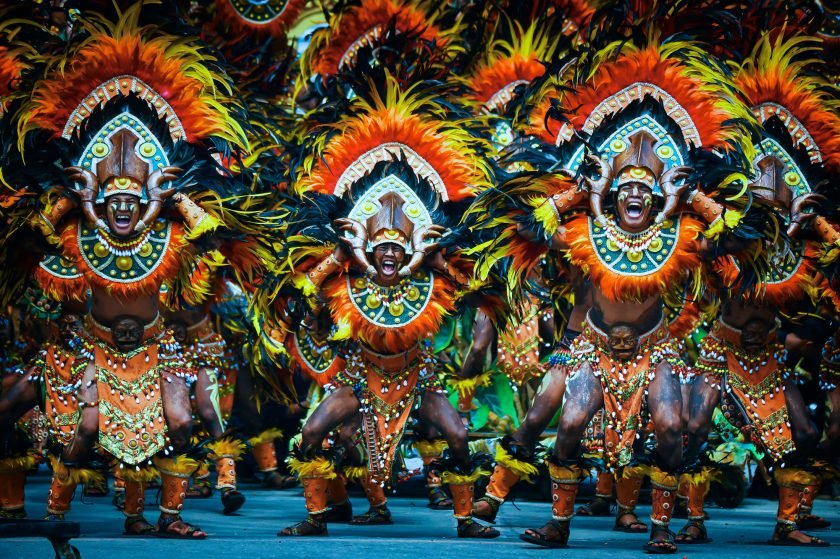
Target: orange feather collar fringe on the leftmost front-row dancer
149	285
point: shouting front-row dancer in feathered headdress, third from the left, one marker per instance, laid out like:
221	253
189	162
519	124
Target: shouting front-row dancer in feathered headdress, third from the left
624	360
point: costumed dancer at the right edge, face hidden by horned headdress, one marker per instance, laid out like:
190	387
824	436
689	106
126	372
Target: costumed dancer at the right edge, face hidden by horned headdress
745	370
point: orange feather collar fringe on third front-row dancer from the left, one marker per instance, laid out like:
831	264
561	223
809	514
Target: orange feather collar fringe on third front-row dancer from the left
626	287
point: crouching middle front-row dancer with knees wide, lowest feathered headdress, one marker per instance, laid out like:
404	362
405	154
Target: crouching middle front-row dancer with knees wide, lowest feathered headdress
398	172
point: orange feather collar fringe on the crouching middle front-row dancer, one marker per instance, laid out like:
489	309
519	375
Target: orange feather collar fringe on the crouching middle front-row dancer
390	340
